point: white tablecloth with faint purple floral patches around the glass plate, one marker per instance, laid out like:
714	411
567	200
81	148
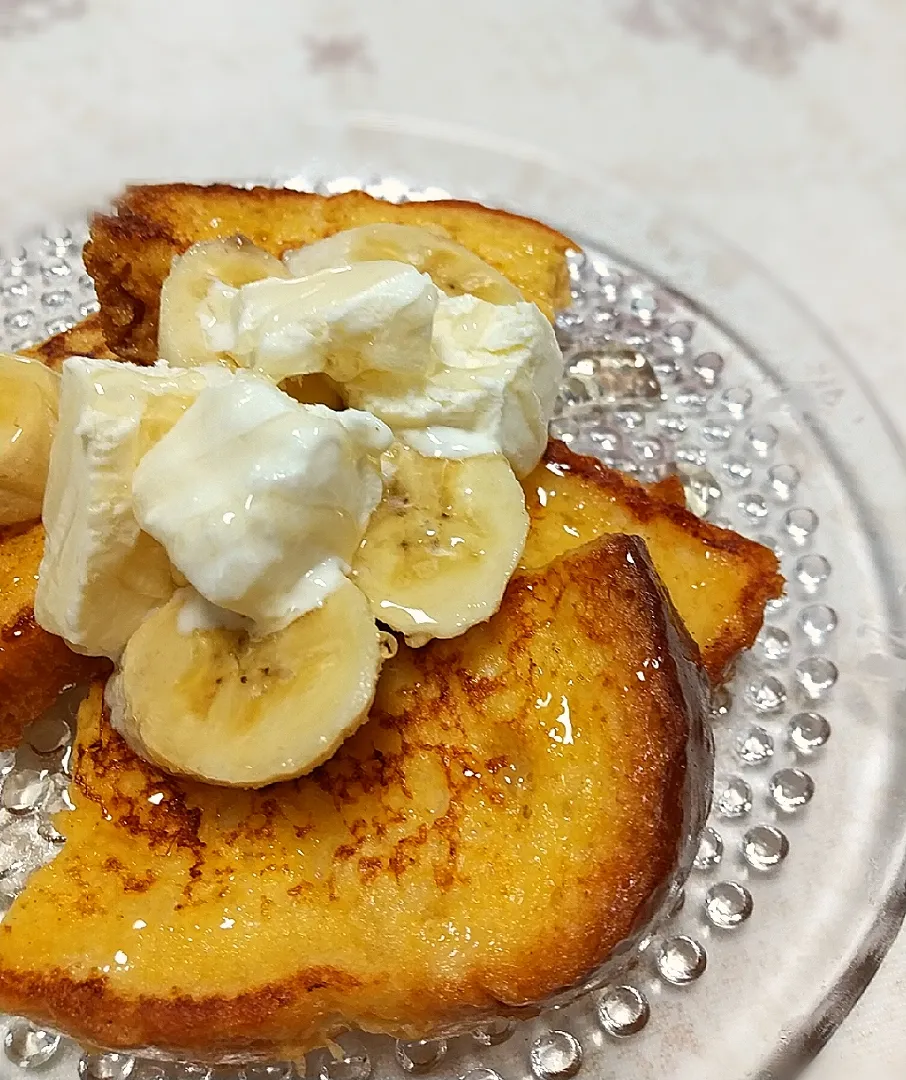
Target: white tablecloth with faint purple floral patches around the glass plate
781	124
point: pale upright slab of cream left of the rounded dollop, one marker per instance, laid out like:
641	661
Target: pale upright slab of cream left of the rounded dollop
101	575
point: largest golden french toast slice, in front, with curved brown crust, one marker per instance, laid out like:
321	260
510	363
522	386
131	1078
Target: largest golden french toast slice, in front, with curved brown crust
506	818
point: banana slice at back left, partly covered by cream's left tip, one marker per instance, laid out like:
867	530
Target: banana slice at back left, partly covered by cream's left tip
192	310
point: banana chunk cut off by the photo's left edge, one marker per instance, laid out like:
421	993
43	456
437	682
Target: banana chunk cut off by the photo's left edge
30	394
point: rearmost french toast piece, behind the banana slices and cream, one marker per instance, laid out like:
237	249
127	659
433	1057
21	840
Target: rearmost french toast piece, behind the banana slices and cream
131	251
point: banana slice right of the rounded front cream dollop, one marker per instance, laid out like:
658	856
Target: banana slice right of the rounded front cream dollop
443	544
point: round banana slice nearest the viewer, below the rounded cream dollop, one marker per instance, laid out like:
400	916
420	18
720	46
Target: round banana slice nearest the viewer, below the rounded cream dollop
201	698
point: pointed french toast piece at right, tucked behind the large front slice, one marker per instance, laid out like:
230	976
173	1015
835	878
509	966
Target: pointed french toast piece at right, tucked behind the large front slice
719	580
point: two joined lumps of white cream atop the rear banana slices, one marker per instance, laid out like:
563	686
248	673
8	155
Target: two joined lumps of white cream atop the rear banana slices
451	376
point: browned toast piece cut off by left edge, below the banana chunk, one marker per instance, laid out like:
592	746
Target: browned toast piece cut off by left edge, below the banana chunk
35	667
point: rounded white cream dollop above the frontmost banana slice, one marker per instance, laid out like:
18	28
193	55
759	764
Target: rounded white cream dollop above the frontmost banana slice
261	503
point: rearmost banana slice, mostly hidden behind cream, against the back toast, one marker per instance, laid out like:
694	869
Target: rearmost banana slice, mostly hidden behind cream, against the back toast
453	268
